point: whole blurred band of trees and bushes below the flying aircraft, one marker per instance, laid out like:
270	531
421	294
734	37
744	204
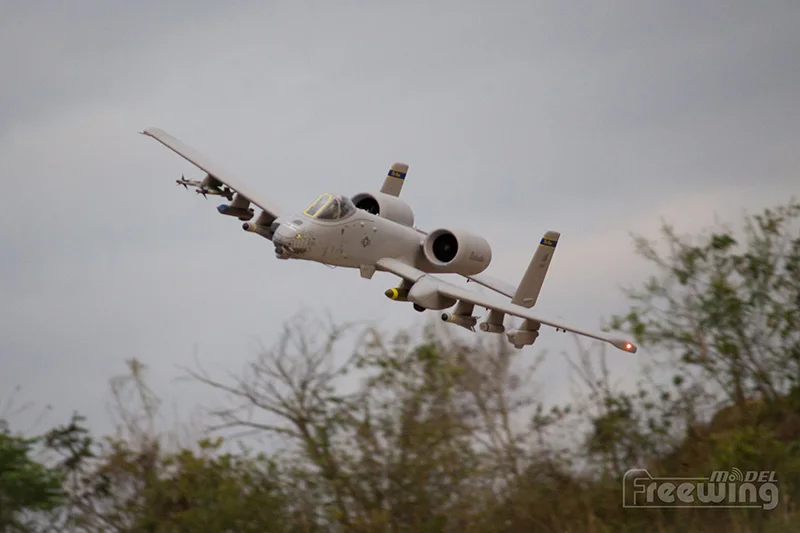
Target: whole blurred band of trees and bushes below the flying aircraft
429	433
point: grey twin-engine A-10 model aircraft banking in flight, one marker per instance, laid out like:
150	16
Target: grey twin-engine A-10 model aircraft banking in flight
374	231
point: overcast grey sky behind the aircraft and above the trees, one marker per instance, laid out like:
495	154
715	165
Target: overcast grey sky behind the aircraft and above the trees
515	117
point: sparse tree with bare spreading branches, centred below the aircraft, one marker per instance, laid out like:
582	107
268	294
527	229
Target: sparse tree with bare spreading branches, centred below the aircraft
421	444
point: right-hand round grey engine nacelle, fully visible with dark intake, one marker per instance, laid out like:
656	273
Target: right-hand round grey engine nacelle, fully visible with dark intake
457	251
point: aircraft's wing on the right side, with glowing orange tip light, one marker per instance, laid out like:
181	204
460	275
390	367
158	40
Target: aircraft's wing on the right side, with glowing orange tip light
433	284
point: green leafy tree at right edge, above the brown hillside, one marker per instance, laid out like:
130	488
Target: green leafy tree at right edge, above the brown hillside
727	306
